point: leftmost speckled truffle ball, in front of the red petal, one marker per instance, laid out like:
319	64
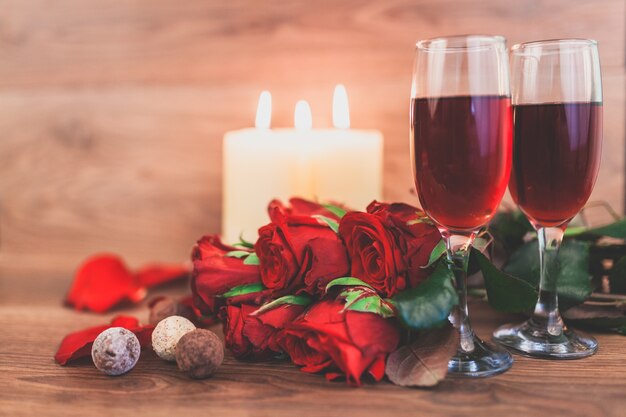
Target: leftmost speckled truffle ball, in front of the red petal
115	351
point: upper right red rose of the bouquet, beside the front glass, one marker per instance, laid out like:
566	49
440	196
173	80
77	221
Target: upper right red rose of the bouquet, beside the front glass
389	245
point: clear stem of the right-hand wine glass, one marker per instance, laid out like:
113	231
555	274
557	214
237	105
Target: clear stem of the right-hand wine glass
547	308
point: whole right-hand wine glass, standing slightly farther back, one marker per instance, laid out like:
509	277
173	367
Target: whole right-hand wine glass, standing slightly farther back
557	108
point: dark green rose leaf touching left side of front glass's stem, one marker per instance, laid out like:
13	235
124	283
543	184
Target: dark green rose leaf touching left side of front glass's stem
428	305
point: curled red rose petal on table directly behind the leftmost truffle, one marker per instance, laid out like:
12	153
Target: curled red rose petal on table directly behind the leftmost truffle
78	344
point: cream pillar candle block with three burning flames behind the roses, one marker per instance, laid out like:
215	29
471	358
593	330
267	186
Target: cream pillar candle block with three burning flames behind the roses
260	164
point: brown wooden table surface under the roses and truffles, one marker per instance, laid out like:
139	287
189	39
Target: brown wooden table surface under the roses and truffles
33	321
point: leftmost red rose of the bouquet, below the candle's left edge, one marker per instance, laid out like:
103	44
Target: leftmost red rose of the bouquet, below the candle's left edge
214	274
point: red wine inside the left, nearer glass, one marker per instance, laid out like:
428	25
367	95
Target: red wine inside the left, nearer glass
462	157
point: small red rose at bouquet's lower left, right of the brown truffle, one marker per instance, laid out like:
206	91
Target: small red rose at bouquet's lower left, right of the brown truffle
250	335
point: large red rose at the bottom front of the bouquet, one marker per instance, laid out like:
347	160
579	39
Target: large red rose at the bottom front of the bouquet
327	337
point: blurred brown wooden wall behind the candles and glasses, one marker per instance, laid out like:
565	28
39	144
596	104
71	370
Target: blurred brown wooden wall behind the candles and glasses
112	111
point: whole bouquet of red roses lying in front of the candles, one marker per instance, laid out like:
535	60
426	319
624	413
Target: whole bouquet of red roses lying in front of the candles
327	287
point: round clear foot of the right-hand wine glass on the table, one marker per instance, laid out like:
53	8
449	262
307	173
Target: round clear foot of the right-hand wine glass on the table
534	340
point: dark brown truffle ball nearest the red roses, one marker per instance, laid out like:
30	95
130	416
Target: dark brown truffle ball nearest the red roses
199	353
